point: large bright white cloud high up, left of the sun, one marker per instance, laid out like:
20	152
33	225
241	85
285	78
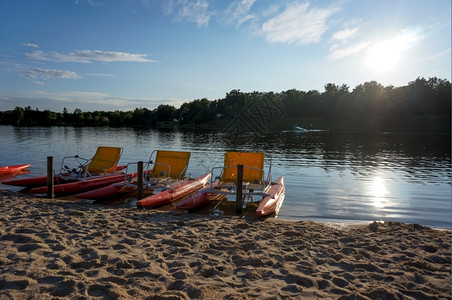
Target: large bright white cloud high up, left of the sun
297	24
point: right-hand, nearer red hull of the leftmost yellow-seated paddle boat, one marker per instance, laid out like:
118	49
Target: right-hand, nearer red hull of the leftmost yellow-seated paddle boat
81	186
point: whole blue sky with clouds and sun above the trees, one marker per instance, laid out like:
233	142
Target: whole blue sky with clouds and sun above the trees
125	54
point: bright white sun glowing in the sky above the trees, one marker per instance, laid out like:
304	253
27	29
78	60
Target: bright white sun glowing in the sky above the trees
384	56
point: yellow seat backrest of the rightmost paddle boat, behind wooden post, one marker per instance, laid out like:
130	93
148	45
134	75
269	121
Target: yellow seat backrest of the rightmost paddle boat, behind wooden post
253	166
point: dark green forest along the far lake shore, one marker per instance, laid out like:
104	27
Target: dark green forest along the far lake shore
422	106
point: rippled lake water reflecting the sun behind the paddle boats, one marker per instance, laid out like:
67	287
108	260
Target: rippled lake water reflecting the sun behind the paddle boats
329	176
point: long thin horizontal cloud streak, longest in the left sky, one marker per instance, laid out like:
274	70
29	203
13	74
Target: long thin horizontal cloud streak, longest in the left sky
88	56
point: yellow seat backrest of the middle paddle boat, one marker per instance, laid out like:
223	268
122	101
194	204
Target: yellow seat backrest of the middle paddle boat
177	160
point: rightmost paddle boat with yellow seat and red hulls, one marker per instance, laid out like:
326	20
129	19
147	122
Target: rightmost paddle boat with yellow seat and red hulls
253	184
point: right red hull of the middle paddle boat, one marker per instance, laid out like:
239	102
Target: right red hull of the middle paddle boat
177	192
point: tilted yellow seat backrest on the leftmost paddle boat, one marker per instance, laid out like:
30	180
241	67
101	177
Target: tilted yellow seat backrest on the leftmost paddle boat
105	160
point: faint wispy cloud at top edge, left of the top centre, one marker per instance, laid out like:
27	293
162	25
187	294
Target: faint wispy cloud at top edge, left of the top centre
195	11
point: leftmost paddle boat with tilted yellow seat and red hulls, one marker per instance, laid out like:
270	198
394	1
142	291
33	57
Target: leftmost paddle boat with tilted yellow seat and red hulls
101	170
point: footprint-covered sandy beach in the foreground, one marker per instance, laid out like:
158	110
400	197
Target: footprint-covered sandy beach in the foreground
52	249
